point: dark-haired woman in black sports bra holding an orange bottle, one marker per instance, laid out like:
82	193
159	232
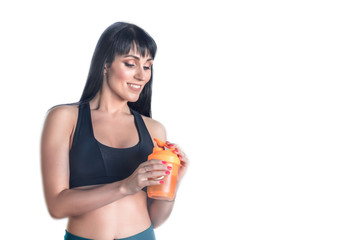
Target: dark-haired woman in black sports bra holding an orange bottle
94	152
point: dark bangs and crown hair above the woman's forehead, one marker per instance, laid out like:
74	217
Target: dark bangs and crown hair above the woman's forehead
135	39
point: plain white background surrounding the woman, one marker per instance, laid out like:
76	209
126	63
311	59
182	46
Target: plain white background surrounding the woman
262	95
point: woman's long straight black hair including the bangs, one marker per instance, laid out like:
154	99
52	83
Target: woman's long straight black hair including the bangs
118	39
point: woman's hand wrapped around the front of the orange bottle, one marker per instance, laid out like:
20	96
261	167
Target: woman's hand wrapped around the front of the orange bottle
145	175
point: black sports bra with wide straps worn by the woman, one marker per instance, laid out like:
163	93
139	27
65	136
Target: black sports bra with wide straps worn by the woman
92	162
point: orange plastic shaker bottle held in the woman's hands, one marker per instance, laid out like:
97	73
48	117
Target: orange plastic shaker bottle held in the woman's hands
166	190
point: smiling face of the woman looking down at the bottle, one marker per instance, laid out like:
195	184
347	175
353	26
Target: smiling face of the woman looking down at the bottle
128	74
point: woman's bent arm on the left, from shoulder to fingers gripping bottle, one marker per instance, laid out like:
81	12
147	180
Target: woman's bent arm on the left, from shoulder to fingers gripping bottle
64	202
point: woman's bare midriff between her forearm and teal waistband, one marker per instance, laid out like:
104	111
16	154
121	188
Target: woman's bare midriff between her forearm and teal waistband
120	219
